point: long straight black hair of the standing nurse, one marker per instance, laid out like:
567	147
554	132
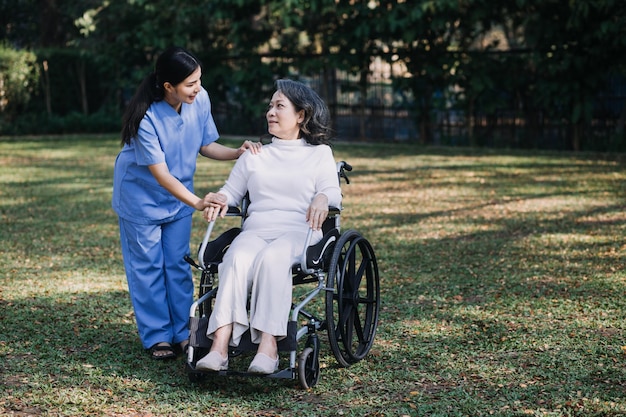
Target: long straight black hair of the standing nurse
172	66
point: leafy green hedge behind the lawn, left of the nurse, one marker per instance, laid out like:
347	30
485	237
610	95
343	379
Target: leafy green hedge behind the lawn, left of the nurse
48	97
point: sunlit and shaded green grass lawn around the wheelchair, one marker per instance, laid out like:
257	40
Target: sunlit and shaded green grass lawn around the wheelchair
503	289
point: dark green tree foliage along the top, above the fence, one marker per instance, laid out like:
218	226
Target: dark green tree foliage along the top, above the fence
545	59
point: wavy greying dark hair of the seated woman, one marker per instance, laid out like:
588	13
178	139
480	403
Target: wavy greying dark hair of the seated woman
315	129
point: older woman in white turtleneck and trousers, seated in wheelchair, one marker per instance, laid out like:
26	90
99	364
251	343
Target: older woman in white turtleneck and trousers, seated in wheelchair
291	185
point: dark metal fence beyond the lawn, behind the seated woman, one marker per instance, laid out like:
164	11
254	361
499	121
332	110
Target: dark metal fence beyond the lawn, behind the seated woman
378	112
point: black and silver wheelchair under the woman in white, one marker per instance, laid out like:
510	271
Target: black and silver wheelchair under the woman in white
342	268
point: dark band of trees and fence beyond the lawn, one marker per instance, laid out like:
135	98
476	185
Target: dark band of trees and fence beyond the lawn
489	73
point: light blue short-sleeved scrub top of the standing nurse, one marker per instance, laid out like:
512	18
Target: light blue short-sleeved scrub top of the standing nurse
163	136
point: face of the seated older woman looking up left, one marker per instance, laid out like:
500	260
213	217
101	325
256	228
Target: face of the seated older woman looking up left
283	121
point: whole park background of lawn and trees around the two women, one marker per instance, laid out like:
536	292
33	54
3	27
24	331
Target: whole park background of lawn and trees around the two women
487	144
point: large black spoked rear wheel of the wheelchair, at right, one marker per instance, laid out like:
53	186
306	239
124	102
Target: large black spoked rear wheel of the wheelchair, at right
352	306
